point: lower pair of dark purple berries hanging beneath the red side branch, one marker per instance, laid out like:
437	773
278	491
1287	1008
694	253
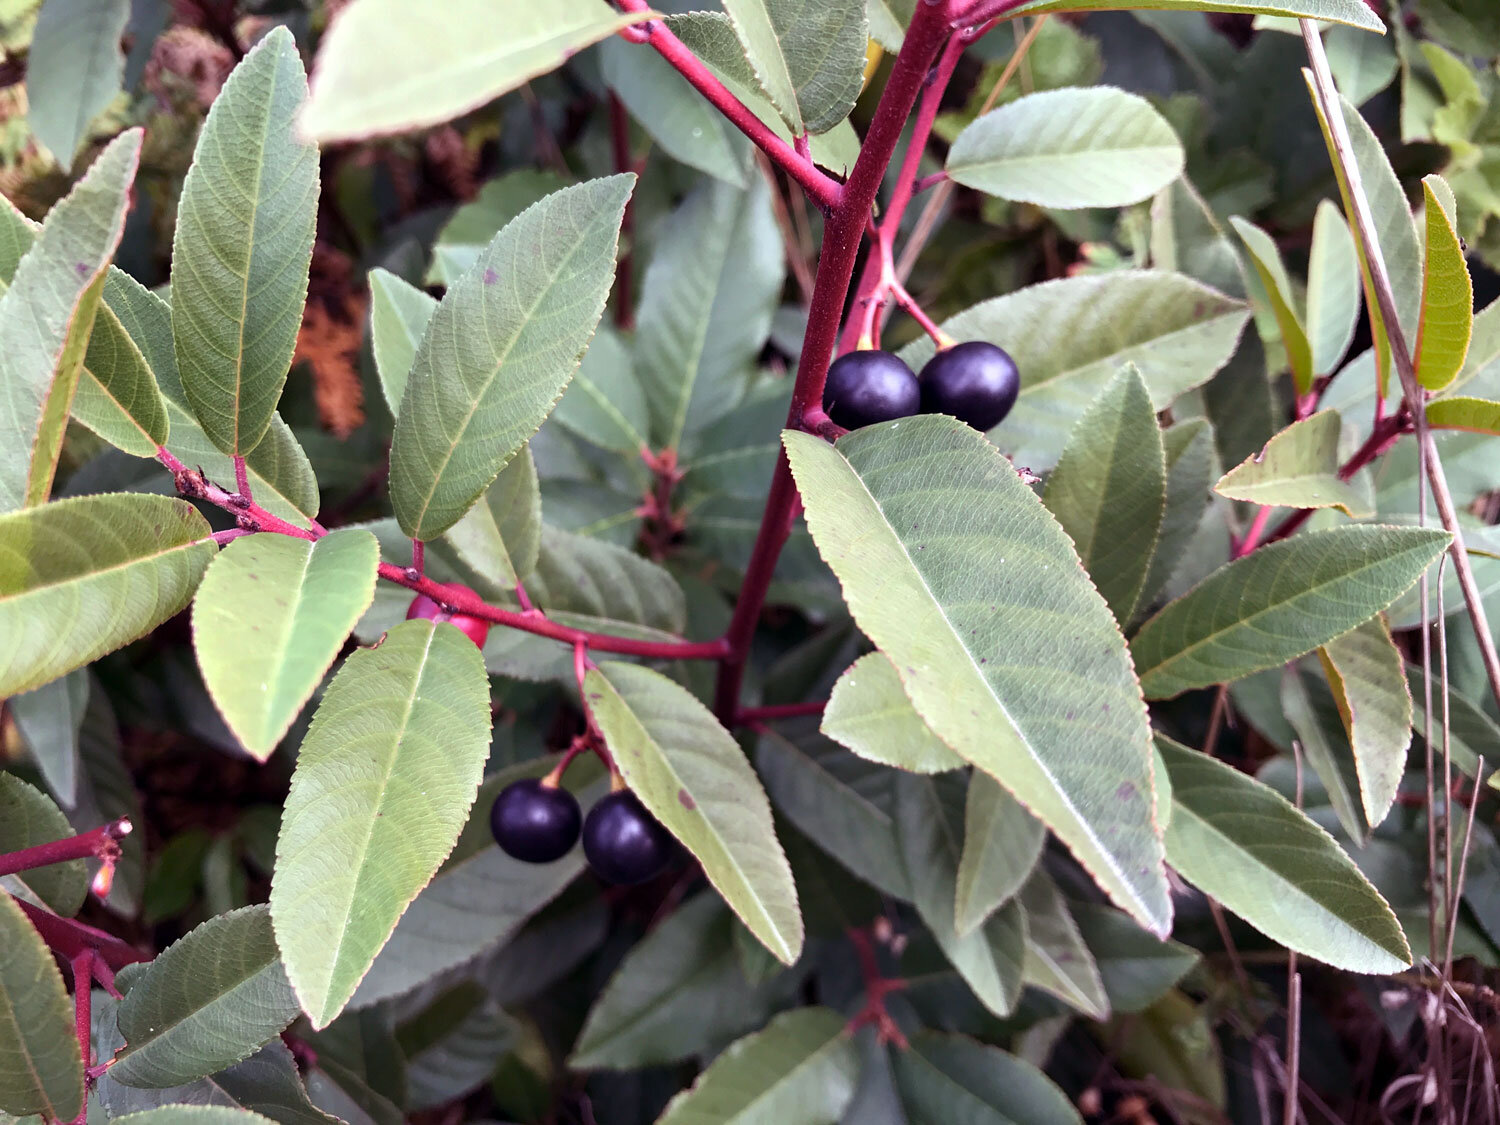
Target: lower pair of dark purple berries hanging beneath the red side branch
538	821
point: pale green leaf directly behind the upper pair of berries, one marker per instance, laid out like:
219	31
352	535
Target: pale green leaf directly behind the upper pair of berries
1072	337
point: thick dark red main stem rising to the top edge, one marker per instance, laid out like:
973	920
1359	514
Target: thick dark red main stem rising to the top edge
842	235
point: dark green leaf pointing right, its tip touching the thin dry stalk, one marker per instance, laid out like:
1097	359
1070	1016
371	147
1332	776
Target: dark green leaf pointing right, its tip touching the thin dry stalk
1279	604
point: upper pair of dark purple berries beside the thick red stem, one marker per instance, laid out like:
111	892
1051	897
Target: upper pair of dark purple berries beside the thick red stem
976	383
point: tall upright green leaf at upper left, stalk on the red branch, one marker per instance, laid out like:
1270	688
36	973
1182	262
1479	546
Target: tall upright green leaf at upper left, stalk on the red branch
244	245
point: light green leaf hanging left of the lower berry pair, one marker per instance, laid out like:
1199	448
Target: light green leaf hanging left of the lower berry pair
385	781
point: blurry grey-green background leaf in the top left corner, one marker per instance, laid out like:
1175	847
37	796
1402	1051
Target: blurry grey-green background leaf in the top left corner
74	71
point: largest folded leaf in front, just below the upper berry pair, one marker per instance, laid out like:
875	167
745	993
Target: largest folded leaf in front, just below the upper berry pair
959	574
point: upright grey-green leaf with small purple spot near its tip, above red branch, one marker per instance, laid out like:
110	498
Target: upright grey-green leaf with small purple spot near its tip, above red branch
500	350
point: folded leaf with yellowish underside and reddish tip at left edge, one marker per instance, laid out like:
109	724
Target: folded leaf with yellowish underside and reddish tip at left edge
46	319
